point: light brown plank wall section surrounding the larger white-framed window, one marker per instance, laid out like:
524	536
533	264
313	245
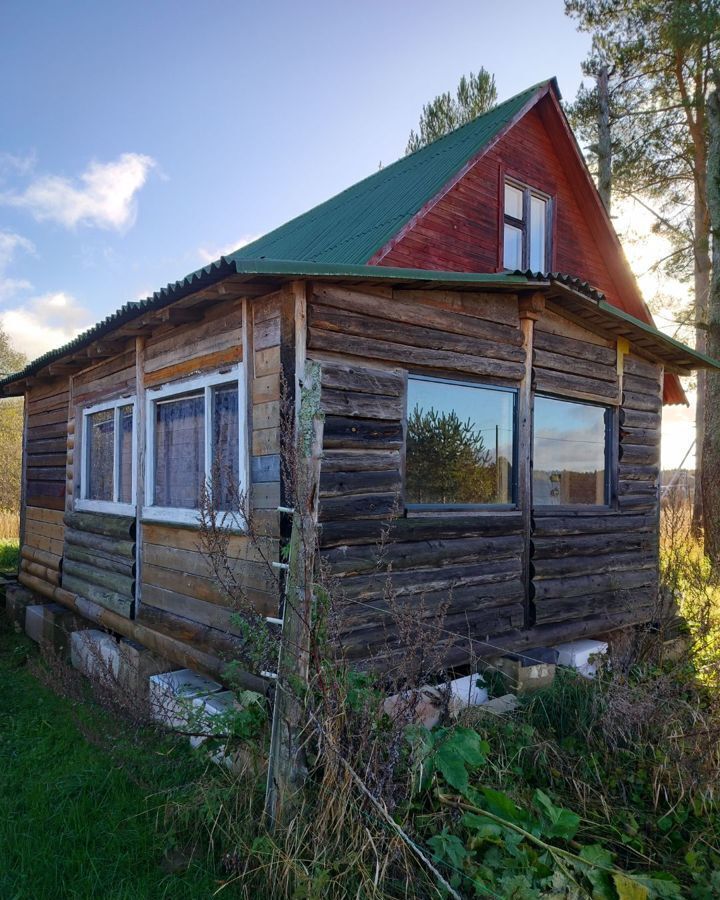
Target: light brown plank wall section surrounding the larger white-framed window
179	594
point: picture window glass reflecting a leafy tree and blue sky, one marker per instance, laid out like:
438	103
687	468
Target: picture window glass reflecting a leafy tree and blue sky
459	444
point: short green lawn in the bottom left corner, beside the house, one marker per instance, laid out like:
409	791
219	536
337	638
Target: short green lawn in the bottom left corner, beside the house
80	818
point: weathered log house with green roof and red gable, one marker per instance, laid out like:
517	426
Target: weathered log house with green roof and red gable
505	422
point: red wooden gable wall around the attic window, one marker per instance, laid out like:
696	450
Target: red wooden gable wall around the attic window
461	230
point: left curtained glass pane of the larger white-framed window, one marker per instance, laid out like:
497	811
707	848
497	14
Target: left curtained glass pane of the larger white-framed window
179	451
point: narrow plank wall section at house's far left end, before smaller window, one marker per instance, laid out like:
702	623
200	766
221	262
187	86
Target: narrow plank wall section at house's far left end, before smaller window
43	488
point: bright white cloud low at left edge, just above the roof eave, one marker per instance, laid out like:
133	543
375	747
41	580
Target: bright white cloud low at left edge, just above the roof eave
45	322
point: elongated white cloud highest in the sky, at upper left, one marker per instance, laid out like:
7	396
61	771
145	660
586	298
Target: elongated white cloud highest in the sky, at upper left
104	195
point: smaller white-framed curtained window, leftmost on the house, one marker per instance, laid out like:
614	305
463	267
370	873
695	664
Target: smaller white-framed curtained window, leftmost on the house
107	480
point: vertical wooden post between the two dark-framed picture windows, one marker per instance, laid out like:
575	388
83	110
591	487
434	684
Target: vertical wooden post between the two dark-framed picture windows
530	309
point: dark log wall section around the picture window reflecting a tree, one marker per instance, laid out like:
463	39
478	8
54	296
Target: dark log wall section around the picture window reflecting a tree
367	343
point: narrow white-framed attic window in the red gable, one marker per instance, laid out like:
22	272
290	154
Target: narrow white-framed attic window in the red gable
526	236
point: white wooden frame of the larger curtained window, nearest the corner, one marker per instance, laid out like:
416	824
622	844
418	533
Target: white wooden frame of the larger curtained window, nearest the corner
176	388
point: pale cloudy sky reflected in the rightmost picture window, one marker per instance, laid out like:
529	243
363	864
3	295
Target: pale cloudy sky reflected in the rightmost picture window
568	436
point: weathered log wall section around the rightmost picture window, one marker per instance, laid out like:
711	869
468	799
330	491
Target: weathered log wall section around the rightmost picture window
587	562
